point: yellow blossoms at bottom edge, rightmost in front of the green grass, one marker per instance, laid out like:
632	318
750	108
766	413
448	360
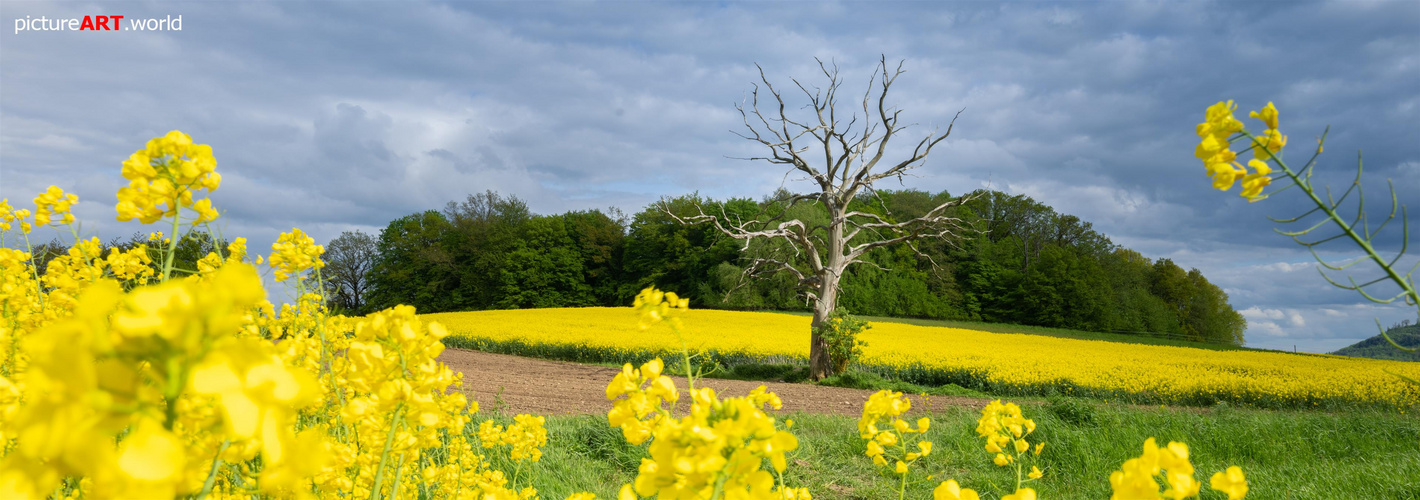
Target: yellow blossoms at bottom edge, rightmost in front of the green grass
1140	478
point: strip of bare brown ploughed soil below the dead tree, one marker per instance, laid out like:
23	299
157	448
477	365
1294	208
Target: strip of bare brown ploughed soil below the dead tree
526	386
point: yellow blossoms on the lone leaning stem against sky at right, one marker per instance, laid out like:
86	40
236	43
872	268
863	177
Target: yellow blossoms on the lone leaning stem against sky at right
1218	133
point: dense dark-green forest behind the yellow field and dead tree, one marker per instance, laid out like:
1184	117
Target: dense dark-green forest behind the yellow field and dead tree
1025	265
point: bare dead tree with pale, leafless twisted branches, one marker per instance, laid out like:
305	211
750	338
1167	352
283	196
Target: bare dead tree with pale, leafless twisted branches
843	160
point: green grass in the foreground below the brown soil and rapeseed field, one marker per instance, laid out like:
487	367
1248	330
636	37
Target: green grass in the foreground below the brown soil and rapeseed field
1286	455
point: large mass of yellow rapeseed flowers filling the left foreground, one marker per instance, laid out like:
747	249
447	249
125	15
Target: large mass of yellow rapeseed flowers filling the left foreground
114	387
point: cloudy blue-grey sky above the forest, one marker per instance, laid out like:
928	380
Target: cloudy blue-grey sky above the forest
346	116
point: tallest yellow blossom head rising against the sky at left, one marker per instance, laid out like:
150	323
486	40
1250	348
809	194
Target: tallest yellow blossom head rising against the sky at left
164	177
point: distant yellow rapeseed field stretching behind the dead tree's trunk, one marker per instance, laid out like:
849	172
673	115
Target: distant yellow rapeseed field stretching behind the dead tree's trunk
1010	363
